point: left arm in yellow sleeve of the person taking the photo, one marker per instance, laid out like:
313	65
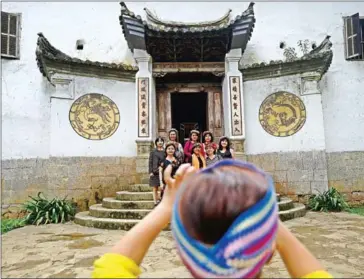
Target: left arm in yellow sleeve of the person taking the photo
125	257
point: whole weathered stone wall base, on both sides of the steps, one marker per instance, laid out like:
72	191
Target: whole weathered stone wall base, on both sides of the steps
87	180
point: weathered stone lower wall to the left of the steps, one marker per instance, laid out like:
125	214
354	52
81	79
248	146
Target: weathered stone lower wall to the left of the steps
86	180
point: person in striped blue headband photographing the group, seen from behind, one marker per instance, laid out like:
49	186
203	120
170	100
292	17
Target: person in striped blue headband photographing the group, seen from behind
230	230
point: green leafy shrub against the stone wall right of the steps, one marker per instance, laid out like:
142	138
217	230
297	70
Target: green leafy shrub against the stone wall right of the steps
330	200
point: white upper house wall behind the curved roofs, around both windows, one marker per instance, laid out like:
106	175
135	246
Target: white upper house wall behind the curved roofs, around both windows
26	108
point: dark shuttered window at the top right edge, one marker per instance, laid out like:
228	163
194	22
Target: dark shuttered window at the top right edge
354	37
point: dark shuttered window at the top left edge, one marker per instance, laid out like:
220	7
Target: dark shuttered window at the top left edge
10	35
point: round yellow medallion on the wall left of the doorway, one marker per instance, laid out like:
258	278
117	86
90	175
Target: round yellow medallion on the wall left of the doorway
94	116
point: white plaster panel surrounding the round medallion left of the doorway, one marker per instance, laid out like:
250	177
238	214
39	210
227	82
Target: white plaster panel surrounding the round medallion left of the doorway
66	142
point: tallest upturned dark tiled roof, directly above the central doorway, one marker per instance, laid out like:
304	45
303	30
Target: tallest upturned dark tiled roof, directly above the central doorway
140	33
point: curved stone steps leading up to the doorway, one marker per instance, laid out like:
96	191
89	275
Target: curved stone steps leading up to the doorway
124	211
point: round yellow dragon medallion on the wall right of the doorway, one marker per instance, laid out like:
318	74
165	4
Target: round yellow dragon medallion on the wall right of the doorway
282	114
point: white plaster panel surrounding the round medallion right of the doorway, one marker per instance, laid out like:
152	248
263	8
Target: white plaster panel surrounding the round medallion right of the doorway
310	137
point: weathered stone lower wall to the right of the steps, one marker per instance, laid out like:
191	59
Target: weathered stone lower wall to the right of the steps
299	174
